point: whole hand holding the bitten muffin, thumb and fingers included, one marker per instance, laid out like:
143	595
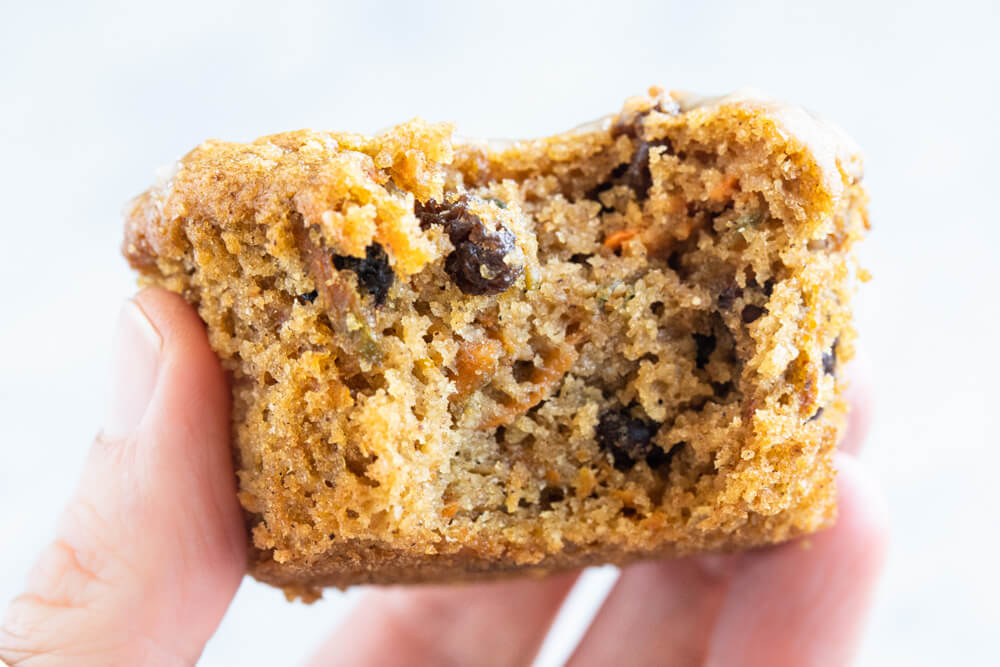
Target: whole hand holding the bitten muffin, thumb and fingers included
152	548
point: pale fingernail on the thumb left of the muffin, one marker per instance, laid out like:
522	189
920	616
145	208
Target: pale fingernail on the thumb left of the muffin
135	360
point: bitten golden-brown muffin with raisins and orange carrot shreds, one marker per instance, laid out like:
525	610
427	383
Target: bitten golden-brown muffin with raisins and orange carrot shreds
455	359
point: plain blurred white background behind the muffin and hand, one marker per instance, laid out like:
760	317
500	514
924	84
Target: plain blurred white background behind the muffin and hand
94	96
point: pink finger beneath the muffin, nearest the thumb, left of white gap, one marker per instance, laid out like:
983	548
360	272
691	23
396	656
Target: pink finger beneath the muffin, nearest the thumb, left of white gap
483	624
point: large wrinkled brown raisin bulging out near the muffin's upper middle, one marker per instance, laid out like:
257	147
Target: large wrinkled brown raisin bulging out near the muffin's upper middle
477	263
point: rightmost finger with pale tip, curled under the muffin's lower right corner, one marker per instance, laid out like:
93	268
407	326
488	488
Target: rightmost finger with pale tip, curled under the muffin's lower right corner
806	603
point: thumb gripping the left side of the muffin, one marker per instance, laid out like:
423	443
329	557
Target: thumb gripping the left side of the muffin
152	547
